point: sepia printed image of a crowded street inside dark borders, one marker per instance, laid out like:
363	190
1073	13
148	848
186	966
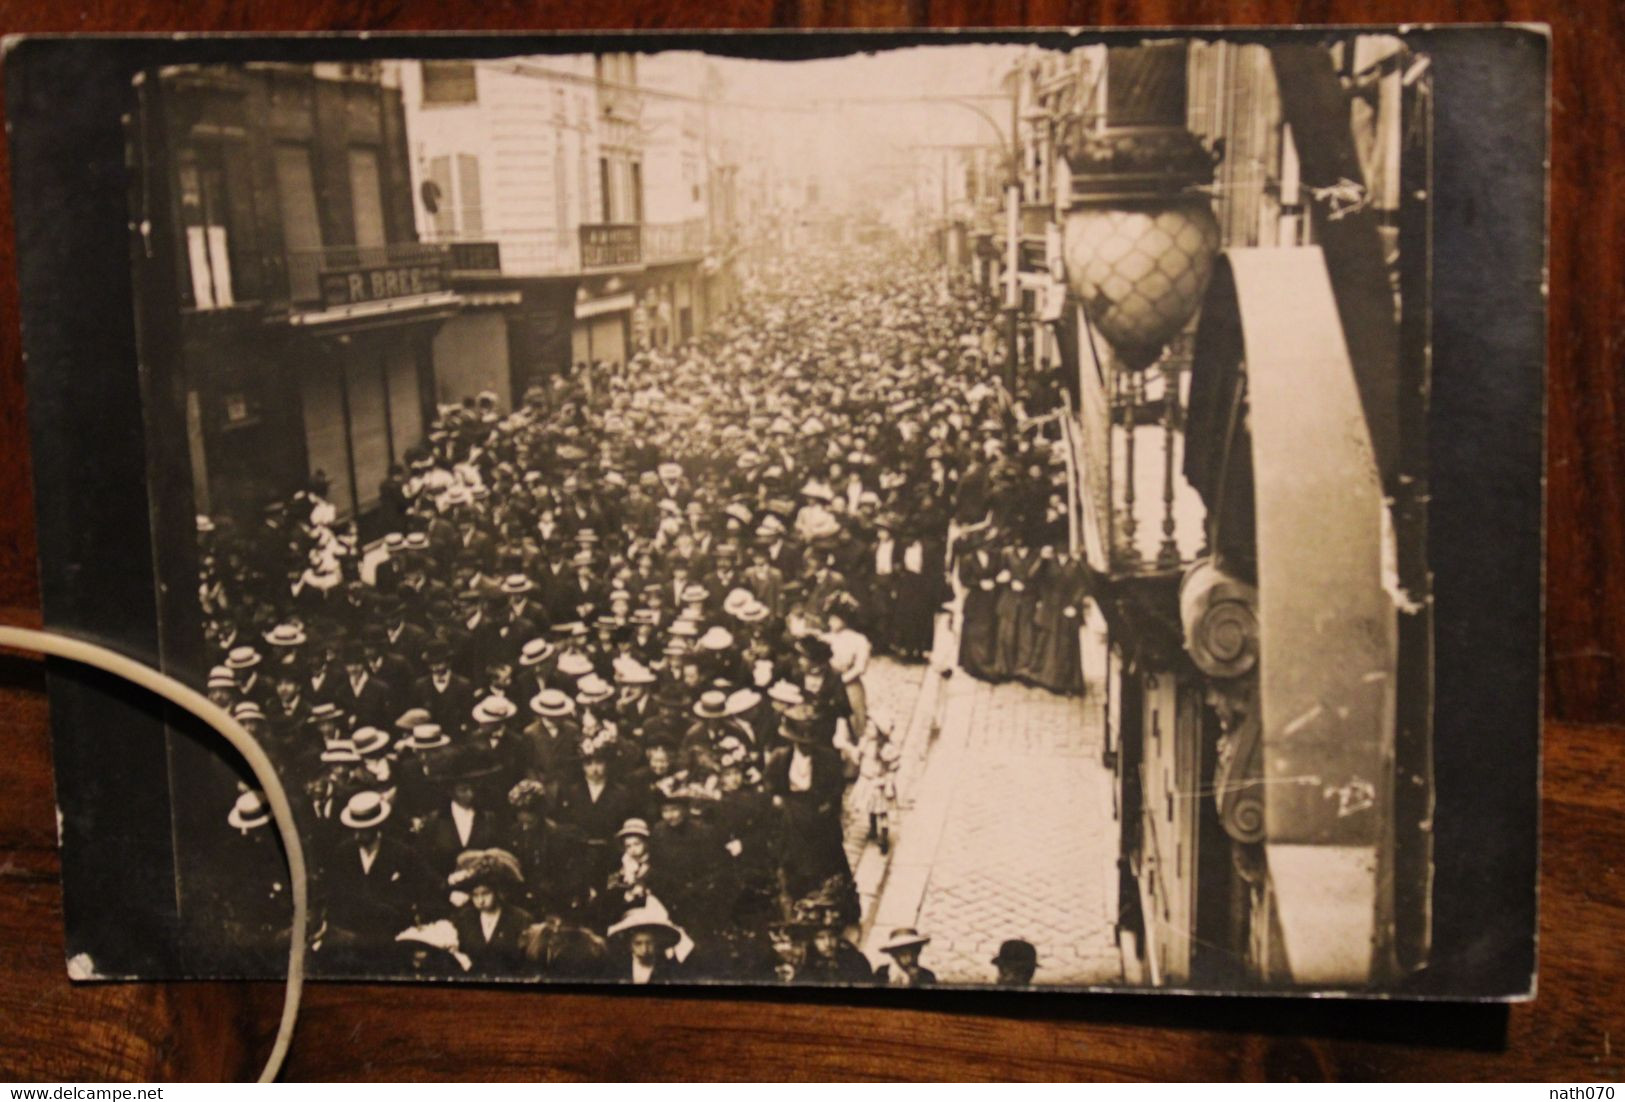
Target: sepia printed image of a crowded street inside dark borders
943	514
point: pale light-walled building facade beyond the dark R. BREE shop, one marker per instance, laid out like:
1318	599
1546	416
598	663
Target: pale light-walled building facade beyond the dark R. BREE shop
576	197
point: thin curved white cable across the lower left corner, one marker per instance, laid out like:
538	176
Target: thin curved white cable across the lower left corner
201	706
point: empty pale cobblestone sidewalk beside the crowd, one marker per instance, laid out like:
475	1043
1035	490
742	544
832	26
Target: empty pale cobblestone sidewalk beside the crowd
1012	836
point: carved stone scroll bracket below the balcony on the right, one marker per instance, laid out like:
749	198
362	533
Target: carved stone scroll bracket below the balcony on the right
1220	615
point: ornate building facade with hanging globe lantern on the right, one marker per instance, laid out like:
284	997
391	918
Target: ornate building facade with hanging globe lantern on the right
1224	253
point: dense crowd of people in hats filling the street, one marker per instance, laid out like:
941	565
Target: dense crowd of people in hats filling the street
596	706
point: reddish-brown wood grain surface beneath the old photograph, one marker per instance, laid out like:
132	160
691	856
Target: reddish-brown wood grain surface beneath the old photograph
1575	1031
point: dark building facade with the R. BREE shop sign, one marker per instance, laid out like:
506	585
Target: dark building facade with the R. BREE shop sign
282	235
